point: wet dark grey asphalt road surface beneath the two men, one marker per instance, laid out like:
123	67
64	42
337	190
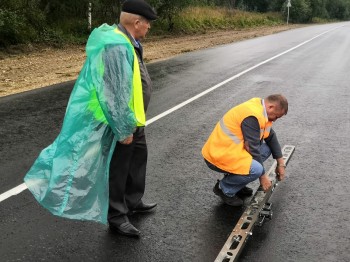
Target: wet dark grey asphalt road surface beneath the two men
311	222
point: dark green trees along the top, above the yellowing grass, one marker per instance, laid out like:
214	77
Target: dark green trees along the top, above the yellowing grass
23	21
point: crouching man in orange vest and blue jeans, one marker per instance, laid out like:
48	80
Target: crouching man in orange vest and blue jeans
239	144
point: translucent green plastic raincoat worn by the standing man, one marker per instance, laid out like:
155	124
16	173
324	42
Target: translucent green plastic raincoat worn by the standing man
70	177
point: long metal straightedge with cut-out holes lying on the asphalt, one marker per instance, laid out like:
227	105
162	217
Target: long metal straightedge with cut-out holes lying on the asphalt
256	213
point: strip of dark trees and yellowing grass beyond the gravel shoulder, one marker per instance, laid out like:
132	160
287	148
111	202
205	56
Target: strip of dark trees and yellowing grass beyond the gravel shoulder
70	21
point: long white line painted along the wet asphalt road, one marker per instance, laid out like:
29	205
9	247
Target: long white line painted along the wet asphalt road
22	187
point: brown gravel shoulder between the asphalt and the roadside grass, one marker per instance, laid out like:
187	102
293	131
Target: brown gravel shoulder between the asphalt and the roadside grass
44	66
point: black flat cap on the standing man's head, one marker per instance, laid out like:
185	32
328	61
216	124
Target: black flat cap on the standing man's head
139	7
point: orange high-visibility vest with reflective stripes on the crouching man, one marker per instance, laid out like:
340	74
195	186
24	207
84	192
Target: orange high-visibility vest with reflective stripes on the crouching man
225	146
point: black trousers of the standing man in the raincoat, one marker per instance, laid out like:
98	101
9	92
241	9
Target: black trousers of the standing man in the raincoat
127	177
